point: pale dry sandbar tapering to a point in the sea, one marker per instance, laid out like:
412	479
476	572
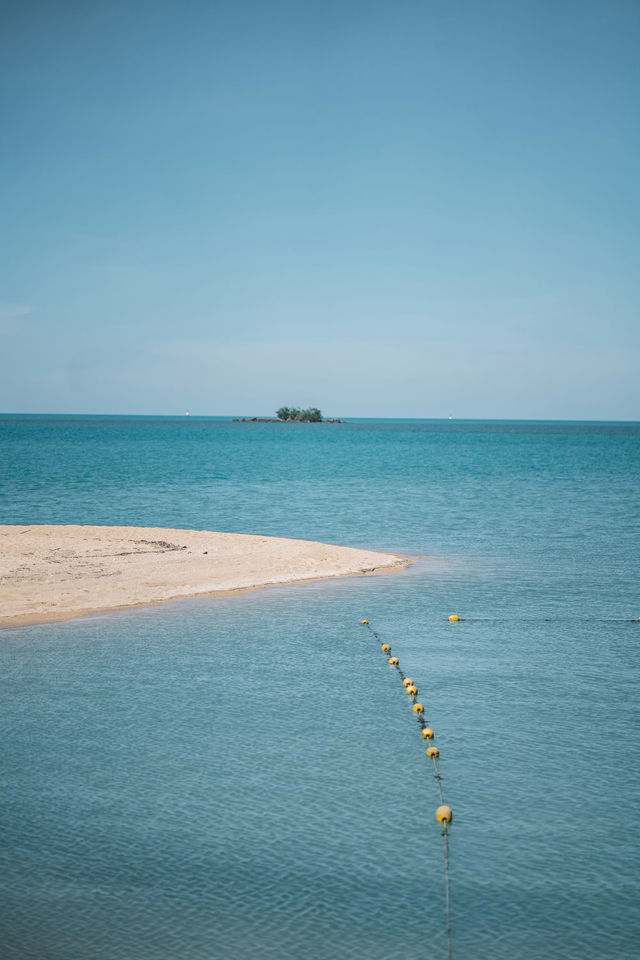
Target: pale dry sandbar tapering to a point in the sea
58	572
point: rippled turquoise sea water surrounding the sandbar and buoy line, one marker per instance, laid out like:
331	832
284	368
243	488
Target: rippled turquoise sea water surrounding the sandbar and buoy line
242	778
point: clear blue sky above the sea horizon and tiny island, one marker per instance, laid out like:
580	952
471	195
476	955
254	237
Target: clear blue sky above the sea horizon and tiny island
398	208
